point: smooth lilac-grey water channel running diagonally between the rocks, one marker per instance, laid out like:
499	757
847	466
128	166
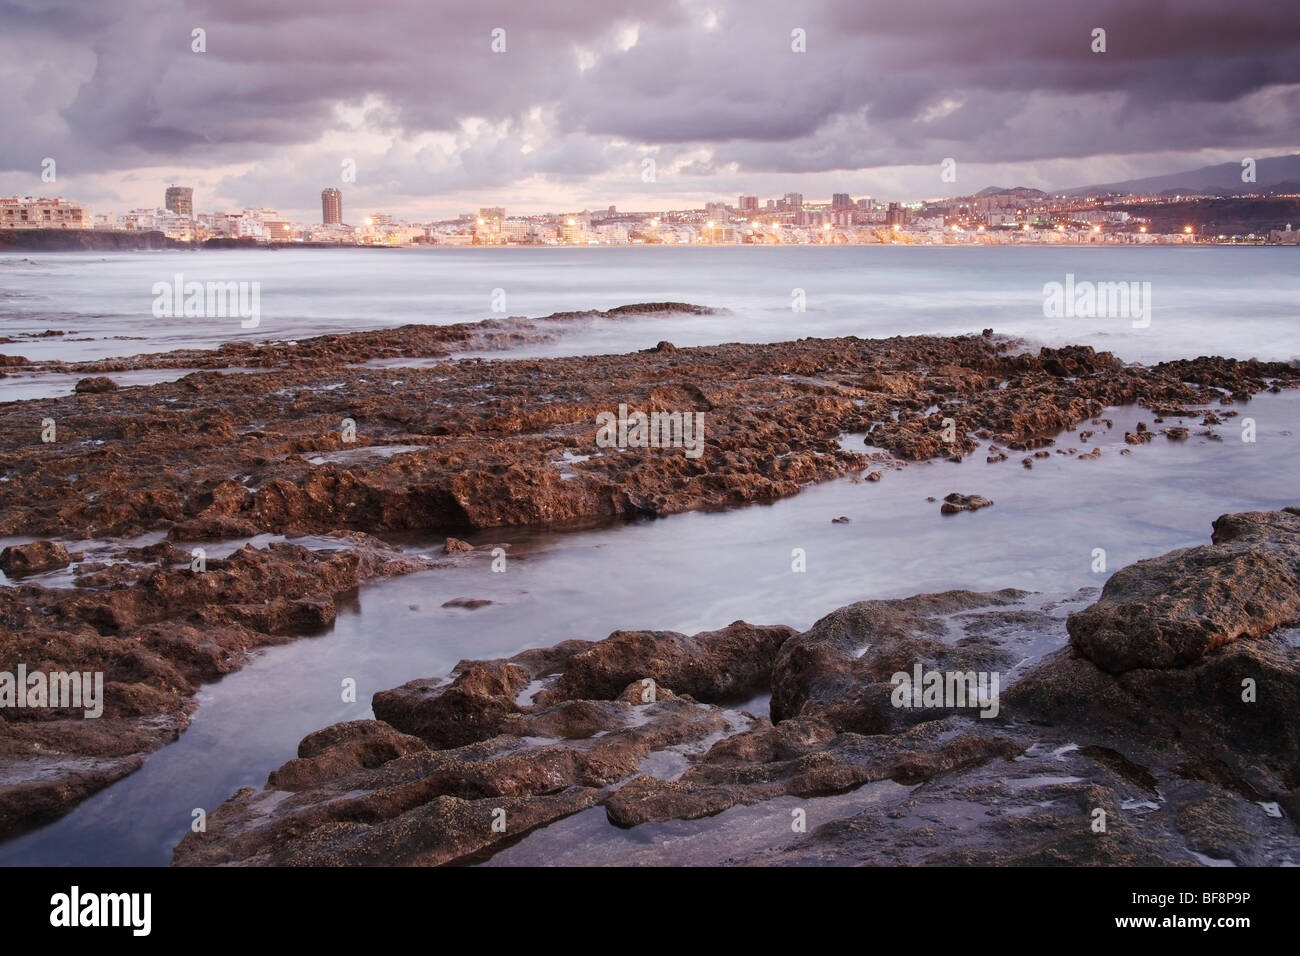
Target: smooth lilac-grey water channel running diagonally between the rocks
692	573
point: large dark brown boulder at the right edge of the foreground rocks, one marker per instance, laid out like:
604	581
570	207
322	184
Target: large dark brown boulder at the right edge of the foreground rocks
1201	664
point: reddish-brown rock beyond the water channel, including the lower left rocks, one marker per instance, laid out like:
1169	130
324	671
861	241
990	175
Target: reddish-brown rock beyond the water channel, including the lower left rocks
239	453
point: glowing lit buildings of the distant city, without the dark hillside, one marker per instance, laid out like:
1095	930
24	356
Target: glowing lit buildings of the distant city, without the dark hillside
928	223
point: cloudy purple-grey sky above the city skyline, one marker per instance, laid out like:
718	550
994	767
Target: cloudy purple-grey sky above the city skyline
587	90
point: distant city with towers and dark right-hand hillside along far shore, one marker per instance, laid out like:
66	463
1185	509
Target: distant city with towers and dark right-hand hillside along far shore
993	217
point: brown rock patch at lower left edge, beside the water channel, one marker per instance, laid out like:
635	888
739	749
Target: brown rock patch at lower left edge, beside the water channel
157	630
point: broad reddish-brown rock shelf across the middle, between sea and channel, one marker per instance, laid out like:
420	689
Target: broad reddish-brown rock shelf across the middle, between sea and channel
317	443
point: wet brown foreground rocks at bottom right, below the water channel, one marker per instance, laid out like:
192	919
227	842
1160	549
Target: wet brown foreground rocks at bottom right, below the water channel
1154	765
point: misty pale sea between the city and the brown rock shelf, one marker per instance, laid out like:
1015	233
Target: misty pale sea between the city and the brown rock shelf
1243	302
